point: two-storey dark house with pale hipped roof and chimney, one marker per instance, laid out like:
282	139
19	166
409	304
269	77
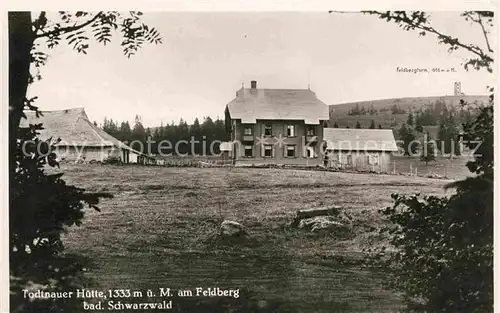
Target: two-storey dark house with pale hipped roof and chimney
276	126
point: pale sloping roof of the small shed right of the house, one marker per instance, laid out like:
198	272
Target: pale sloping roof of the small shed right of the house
359	139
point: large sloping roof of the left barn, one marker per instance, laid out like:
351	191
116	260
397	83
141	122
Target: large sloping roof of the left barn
73	127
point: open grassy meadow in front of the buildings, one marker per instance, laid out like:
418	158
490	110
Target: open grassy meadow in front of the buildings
160	230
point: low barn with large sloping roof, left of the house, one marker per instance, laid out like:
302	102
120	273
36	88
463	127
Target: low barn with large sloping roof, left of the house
81	140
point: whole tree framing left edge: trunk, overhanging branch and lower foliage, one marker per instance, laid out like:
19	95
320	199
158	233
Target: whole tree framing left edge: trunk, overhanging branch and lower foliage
42	206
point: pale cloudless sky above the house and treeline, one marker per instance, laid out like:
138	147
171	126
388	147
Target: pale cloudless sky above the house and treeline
205	58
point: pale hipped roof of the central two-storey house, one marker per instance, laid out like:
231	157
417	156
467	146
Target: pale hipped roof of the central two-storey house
277	104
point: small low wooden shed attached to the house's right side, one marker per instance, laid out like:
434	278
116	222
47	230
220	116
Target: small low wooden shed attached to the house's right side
359	149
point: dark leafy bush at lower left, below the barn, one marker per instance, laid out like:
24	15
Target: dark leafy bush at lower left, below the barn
42	206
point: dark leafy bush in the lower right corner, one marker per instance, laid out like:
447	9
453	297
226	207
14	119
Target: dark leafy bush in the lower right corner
449	240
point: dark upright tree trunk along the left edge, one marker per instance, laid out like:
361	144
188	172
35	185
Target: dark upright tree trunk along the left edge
20	43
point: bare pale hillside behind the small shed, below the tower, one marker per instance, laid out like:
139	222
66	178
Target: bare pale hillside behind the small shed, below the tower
384	116
